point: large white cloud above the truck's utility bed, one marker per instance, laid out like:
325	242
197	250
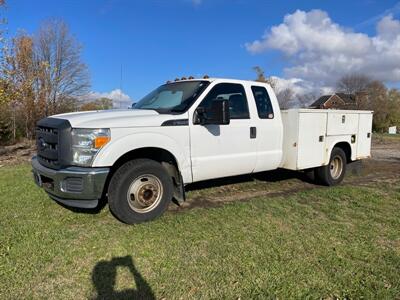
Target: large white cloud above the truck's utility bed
319	50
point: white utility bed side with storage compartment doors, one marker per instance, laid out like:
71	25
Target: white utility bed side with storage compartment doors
310	135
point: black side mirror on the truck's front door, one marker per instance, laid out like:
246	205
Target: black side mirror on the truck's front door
218	114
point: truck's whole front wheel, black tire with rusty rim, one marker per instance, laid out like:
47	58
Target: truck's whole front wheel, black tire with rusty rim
139	191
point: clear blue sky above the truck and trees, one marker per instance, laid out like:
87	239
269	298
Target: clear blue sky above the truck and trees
157	40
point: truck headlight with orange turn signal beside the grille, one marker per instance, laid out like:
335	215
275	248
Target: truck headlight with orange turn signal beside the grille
86	143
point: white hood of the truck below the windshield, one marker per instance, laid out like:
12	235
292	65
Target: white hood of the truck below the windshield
115	118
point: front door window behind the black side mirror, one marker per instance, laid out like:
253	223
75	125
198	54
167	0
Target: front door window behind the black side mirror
236	95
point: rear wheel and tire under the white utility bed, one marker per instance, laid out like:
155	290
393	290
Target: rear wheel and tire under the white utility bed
333	173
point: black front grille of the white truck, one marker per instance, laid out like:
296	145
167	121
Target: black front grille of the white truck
53	138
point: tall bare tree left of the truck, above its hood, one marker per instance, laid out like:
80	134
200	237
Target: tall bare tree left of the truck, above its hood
64	75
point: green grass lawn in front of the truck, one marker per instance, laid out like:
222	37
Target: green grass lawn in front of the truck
322	243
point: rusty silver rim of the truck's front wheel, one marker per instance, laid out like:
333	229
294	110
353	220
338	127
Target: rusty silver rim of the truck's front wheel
144	193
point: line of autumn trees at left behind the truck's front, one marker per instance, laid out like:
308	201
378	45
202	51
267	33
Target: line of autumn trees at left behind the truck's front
41	74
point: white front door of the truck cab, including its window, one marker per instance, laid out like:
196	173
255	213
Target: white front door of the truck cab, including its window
224	150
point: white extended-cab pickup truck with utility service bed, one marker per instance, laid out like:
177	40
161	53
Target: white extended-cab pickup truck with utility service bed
185	131
